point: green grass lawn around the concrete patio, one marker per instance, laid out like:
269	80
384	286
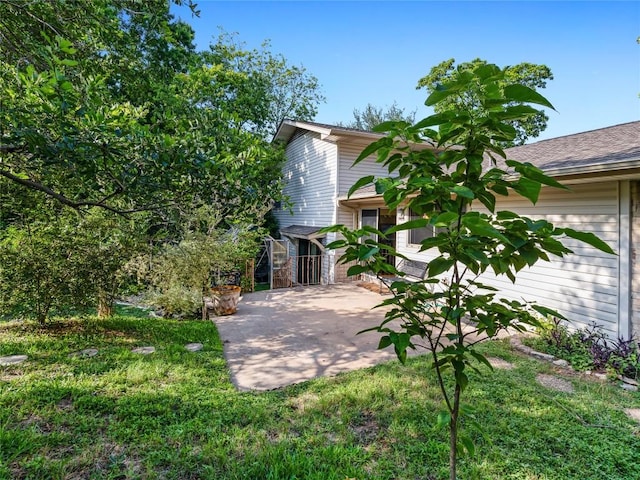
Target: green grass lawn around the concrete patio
175	415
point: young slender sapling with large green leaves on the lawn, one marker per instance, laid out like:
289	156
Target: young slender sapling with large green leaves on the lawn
452	187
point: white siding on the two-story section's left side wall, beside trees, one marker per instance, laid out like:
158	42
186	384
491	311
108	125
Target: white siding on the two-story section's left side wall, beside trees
310	176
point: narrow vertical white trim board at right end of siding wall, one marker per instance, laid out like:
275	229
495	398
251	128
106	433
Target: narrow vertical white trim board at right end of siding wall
624	259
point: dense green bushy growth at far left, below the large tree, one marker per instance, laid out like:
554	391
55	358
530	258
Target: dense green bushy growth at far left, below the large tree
52	259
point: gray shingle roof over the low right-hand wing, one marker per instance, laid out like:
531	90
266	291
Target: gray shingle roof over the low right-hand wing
596	148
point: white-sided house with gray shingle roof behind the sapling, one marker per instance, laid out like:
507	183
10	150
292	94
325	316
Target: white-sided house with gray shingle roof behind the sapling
600	167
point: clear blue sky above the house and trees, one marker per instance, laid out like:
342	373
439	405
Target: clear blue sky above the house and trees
375	51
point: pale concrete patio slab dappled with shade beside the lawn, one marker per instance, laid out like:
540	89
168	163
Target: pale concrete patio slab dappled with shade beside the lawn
281	337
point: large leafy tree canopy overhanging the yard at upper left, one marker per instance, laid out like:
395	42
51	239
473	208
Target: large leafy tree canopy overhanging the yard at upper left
107	105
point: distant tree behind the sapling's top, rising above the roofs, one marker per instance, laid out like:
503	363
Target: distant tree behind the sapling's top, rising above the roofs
528	74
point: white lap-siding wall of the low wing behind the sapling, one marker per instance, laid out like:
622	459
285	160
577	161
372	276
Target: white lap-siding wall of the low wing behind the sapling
582	286
